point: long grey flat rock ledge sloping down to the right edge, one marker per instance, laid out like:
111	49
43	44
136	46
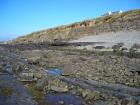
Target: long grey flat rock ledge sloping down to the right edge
117	90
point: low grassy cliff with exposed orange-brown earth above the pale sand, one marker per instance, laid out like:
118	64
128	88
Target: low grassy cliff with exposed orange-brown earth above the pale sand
129	20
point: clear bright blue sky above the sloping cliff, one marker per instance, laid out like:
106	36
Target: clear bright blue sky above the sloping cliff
20	17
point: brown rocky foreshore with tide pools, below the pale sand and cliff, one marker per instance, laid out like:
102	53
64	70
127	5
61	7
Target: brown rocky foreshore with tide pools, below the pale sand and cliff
82	77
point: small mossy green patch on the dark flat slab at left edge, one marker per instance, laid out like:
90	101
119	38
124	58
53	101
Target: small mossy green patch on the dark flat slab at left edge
7	91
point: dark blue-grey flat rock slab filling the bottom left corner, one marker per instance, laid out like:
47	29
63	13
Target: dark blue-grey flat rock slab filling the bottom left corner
13	93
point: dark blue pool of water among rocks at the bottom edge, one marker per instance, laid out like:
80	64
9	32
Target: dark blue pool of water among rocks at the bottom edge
65	98
